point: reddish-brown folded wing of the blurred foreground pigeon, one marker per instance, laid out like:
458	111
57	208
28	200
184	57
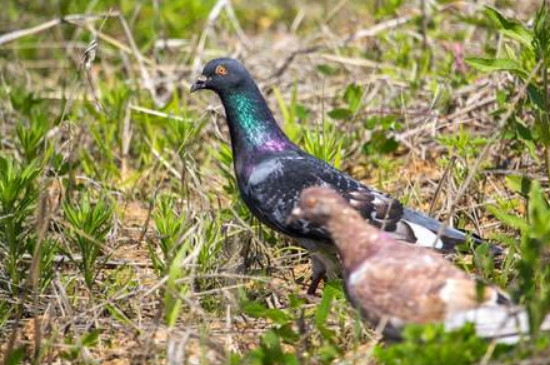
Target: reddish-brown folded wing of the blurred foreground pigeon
411	284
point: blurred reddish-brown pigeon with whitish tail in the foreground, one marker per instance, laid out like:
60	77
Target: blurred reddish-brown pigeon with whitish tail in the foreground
399	283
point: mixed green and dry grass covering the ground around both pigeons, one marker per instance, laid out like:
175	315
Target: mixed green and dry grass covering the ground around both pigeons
122	235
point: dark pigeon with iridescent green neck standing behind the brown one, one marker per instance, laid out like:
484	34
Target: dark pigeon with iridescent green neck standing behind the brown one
272	171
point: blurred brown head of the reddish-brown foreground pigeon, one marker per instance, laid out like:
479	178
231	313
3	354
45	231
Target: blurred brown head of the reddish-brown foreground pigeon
317	205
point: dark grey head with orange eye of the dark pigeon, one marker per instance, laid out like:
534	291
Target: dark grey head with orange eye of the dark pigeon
221	74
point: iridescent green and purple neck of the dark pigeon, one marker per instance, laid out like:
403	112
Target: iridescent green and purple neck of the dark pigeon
251	123
